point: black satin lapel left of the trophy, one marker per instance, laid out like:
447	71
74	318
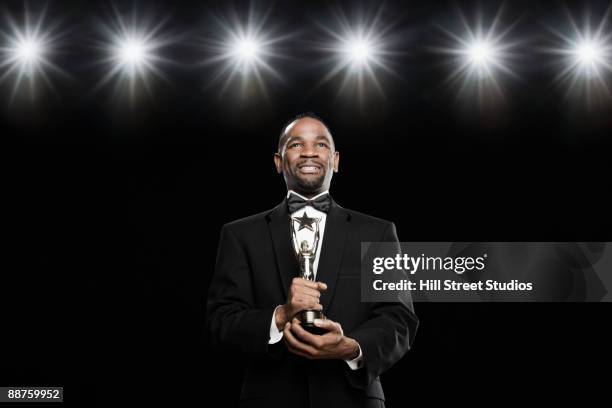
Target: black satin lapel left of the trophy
287	265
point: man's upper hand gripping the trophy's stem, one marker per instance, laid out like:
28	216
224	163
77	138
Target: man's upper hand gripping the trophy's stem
303	295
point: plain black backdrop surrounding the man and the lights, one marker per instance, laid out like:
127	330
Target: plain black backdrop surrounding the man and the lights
117	207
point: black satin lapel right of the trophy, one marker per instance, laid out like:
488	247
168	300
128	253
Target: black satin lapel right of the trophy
334	239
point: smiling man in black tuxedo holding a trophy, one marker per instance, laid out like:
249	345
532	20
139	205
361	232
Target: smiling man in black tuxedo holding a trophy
255	292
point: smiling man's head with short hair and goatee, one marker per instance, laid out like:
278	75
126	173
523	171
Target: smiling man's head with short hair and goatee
306	155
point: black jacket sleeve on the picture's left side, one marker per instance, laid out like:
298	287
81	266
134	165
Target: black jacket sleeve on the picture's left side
232	320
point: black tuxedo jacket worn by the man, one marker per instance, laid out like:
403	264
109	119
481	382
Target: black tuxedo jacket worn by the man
254	268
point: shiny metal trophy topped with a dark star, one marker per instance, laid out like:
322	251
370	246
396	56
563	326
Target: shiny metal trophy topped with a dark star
305	235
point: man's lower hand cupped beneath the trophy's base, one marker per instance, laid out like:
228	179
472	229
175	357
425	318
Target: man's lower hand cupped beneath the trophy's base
332	345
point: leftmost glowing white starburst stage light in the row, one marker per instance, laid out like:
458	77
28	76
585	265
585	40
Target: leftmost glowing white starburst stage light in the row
25	54
